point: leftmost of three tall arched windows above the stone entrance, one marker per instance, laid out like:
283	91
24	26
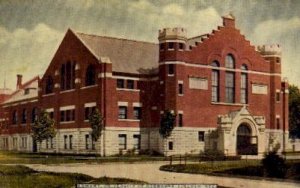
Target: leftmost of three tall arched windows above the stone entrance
215	82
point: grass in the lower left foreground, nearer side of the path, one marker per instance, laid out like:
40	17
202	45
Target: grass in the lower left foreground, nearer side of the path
21	176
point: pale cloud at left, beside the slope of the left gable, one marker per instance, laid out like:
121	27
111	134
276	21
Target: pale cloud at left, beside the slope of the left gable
27	52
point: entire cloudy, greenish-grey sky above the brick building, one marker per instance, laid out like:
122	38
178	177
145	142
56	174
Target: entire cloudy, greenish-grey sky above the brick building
31	30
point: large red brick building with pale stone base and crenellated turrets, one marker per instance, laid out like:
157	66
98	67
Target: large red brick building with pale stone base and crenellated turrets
227	95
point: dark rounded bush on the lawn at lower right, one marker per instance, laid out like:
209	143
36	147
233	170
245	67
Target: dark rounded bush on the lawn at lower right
274	165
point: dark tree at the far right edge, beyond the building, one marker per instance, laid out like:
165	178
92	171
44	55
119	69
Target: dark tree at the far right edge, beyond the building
294	111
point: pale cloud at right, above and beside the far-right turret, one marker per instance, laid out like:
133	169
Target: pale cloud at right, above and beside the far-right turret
285	32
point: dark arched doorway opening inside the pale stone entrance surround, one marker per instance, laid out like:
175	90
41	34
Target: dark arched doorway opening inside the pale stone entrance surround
246	142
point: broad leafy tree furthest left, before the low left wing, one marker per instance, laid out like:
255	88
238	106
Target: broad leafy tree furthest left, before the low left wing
43	127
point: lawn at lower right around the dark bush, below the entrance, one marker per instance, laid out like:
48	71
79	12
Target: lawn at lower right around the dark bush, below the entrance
234	168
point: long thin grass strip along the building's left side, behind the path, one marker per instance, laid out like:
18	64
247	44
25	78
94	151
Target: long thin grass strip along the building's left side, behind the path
33	158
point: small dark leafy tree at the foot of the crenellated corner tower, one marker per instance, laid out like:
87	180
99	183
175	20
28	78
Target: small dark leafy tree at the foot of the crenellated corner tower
167	124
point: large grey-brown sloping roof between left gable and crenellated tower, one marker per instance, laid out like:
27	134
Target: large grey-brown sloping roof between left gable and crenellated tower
127	56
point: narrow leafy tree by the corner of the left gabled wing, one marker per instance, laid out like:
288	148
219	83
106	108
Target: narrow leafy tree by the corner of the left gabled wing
96	122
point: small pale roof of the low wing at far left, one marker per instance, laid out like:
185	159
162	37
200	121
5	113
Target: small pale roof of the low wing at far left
19	95
